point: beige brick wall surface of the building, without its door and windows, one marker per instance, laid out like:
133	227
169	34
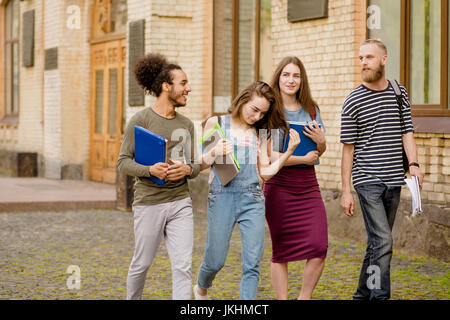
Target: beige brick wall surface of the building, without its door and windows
182	30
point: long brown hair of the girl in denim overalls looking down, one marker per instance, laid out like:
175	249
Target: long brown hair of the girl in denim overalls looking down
273	119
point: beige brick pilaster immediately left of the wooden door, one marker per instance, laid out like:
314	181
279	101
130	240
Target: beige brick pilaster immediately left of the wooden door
74	66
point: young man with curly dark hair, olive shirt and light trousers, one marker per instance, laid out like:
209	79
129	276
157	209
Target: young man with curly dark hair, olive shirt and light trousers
162	210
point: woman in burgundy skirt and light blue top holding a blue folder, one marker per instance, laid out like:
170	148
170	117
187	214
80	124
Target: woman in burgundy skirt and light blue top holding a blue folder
295	211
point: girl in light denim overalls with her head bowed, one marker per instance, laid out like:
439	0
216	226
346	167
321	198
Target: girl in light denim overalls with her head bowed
241	201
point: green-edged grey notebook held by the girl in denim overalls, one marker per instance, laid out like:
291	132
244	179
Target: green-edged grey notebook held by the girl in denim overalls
226	167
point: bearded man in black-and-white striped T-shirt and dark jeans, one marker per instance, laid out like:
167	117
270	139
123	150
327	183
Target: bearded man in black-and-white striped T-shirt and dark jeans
373	136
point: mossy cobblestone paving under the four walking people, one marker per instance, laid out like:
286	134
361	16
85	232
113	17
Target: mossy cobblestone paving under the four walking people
37	250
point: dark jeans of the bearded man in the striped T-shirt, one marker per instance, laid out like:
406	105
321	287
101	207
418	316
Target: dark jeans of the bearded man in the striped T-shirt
379	204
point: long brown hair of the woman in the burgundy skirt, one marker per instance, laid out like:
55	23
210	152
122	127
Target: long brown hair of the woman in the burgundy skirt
303	95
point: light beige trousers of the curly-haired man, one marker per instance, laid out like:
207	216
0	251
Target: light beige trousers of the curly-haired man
174	220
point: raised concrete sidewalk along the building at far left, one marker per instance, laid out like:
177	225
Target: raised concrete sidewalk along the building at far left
31	194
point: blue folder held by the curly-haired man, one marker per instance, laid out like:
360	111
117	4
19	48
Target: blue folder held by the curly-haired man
149	148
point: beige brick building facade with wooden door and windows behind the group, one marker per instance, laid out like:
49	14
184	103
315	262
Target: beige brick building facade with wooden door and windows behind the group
69	105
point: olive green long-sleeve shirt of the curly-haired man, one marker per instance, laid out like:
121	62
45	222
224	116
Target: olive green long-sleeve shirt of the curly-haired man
179	133
